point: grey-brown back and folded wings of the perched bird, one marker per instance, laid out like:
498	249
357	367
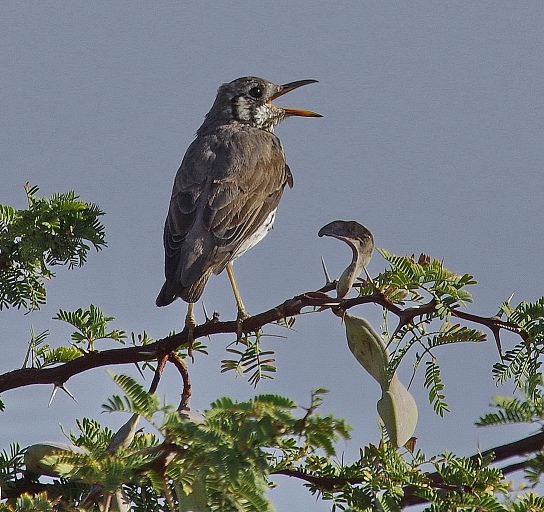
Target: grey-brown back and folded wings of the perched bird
227	186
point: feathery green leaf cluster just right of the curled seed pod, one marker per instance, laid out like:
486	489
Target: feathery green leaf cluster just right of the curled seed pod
429	292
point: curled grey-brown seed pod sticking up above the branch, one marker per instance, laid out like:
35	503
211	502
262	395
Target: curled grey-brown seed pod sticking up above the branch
361	241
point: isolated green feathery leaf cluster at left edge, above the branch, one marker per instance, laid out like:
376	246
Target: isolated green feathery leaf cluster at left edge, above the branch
52	231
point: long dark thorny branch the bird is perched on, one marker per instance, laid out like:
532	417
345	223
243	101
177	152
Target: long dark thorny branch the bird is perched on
319	300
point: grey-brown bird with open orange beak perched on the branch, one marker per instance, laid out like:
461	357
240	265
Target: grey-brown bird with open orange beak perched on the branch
227	189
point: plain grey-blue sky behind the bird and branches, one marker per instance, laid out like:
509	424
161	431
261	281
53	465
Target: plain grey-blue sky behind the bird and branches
432	137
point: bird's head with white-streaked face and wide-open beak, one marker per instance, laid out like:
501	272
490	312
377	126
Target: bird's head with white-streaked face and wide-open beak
249	101
